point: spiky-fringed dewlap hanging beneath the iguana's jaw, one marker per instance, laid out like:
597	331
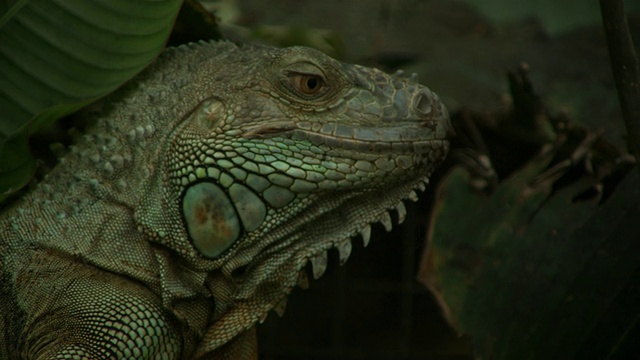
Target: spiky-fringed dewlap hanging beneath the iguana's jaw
308	244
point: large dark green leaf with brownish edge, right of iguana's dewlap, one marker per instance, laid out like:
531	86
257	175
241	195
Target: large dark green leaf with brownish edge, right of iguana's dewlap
532	273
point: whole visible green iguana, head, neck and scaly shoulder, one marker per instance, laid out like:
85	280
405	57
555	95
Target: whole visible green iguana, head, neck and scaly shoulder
198	194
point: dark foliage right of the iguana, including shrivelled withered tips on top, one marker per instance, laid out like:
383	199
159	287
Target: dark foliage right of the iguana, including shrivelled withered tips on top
533	249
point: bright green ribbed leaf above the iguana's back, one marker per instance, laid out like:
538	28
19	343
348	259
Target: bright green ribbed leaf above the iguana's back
59	55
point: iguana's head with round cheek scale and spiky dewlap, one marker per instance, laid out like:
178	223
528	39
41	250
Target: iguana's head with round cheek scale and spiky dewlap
291	154
